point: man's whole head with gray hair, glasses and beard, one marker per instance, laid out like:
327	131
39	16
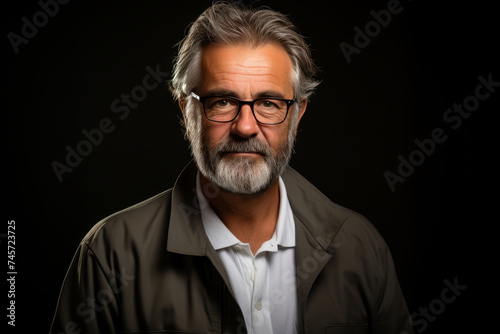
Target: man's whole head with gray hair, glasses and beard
237	52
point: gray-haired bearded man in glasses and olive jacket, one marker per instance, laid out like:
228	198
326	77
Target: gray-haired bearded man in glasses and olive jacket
241	243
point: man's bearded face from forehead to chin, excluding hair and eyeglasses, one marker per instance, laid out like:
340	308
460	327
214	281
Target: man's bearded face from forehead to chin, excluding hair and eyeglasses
243	156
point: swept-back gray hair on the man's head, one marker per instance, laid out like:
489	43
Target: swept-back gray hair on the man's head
233	23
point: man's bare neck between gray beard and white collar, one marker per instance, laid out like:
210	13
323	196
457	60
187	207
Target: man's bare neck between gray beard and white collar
251	218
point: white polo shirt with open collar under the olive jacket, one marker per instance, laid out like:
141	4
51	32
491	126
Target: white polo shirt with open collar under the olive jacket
264	284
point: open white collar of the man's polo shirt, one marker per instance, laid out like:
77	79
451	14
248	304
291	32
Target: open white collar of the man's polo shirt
220	236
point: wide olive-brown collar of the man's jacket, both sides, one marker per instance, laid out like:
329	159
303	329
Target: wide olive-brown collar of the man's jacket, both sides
320	218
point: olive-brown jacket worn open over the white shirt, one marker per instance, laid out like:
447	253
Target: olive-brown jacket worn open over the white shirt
151	269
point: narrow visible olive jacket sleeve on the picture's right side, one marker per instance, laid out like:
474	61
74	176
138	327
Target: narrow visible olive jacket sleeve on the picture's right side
392	311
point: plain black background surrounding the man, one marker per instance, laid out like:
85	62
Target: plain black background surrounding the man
439	223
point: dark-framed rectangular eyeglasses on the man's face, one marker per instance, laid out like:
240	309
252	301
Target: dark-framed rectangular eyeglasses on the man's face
225	109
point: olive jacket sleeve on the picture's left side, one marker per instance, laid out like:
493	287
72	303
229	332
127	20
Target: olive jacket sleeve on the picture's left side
87	301
